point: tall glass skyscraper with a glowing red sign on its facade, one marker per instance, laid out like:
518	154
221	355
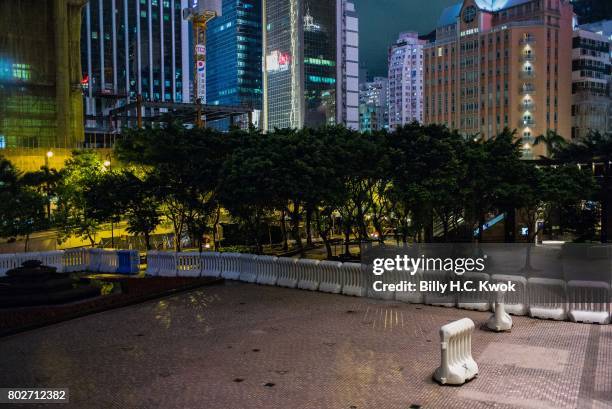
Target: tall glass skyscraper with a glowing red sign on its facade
310	72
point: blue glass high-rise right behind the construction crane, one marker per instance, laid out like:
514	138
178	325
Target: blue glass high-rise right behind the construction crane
233	68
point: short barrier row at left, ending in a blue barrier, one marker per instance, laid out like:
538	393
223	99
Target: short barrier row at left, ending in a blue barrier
76	260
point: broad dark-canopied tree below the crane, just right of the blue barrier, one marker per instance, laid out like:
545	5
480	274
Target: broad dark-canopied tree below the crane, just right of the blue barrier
185	165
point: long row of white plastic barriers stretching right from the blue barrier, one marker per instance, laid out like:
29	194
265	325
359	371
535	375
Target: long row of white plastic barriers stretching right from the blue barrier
579	301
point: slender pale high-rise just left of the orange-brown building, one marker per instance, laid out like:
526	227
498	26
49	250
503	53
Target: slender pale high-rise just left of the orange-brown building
406	80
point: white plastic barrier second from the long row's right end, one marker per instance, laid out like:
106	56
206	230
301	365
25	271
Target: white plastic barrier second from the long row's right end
547	298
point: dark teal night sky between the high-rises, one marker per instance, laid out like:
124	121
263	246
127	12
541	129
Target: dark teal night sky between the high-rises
382	20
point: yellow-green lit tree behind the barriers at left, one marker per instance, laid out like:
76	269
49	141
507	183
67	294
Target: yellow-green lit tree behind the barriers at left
73	215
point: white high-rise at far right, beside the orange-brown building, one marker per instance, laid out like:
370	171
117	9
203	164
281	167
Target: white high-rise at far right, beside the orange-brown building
591	80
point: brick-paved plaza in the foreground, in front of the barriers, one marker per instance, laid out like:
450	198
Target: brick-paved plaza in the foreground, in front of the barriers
245	346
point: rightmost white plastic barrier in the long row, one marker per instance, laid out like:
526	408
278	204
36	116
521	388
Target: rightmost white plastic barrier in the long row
589	301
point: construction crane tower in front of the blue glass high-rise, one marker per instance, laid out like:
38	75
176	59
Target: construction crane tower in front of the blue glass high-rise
200	14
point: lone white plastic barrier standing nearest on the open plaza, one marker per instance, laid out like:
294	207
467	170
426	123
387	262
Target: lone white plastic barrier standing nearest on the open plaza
457	365
